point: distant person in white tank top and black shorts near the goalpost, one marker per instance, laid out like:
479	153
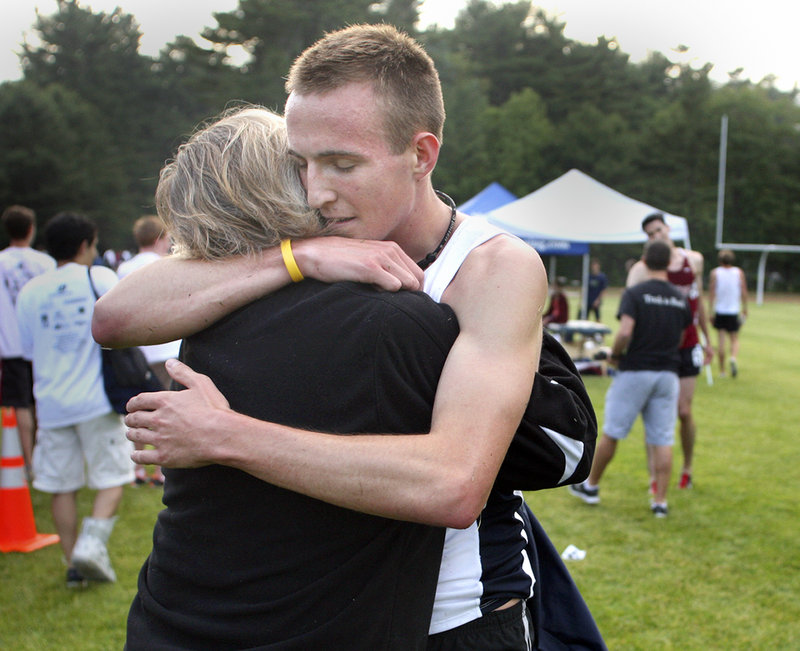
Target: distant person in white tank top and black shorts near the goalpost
727	300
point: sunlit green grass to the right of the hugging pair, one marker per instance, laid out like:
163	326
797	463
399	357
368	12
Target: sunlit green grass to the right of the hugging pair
721	572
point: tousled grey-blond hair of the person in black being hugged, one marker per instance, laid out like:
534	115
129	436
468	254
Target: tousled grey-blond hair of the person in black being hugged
233	189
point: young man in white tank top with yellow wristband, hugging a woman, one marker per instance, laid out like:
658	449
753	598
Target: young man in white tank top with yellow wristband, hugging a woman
369	175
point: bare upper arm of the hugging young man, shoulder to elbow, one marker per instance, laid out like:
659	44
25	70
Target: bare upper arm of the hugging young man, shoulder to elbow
498	296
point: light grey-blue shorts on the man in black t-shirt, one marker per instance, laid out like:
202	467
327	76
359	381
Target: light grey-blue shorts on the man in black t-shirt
654	394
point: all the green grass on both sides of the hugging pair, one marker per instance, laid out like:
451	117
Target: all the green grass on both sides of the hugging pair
721	572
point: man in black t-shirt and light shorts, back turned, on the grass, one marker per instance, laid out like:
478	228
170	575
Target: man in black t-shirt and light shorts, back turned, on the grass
653	316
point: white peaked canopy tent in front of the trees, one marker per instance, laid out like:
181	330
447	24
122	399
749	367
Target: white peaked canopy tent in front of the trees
577	208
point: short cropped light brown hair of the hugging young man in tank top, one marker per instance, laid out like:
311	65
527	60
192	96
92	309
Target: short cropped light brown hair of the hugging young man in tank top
403	74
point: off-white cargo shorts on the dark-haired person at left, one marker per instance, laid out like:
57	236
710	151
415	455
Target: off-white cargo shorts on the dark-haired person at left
63	456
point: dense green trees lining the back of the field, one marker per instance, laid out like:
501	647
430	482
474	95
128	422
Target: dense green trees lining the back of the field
93	120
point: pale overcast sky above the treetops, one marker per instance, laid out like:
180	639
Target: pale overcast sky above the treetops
762	37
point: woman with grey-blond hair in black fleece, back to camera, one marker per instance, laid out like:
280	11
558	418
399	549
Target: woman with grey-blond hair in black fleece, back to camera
241	563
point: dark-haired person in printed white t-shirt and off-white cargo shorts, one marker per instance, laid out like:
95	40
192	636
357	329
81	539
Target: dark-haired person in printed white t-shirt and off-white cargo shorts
79	433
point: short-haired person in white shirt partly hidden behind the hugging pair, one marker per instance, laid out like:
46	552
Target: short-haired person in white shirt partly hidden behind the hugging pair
153	242
